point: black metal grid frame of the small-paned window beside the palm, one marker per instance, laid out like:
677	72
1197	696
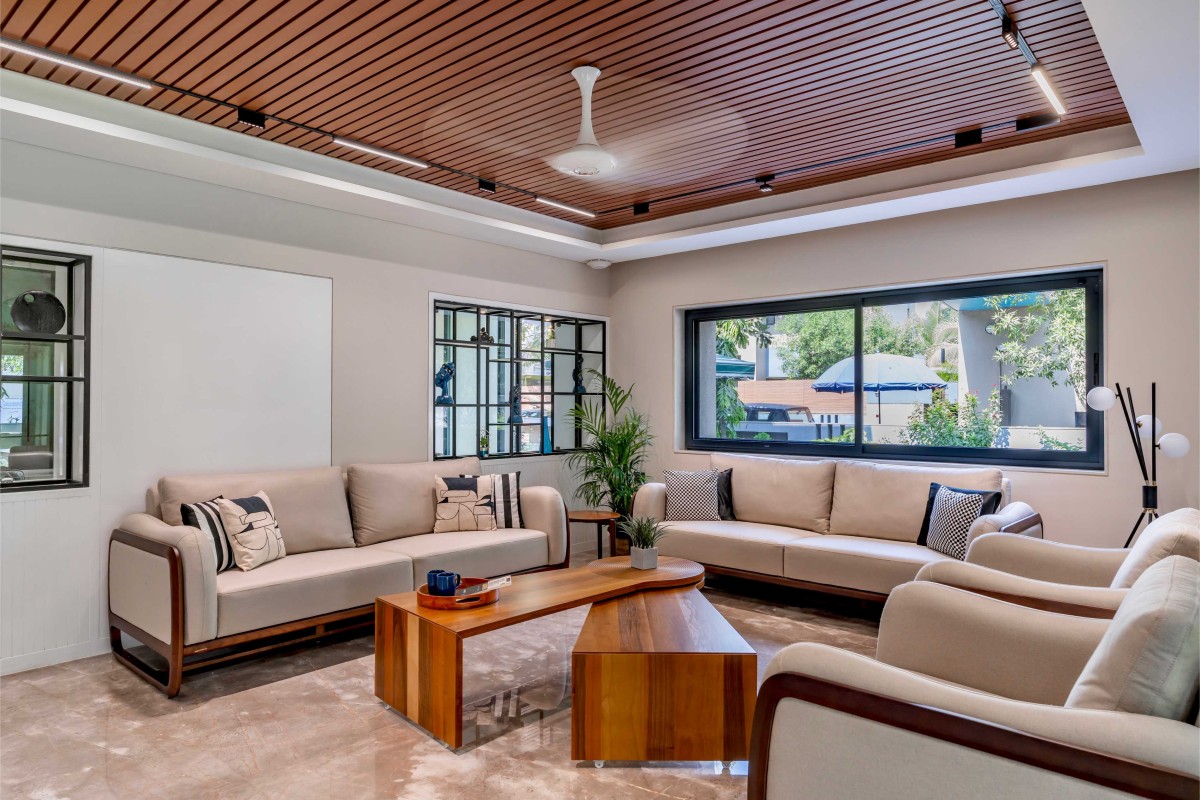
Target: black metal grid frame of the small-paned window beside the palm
515	315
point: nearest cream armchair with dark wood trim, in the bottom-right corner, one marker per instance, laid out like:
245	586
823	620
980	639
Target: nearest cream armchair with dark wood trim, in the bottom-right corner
970	697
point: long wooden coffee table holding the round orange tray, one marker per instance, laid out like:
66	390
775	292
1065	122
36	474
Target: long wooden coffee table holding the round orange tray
419	651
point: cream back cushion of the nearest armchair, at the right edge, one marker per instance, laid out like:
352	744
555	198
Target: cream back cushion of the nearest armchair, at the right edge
1148	660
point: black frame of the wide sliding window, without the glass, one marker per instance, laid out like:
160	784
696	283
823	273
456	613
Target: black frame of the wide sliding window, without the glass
1093	458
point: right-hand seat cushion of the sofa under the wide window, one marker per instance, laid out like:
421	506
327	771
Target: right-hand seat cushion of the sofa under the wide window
857	562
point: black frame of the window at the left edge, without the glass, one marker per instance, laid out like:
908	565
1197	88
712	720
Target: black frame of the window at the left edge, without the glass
80	270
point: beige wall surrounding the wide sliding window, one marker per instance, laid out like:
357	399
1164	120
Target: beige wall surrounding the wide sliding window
1145	233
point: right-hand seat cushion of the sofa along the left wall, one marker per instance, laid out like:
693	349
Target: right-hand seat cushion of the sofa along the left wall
475	554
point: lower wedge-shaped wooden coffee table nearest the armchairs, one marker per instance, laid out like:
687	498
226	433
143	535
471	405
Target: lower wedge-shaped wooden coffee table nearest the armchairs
662	676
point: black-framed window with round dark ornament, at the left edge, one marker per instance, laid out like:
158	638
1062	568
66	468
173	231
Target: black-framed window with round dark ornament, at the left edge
45	299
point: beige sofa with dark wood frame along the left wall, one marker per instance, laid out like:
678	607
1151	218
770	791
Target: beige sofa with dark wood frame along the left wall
350	538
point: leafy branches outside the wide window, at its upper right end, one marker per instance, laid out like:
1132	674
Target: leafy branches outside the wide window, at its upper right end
1060	318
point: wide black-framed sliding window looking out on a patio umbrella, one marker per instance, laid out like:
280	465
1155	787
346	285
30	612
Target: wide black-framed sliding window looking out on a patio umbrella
983	372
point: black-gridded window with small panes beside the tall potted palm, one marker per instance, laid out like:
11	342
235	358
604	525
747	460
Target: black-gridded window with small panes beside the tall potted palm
507	380
